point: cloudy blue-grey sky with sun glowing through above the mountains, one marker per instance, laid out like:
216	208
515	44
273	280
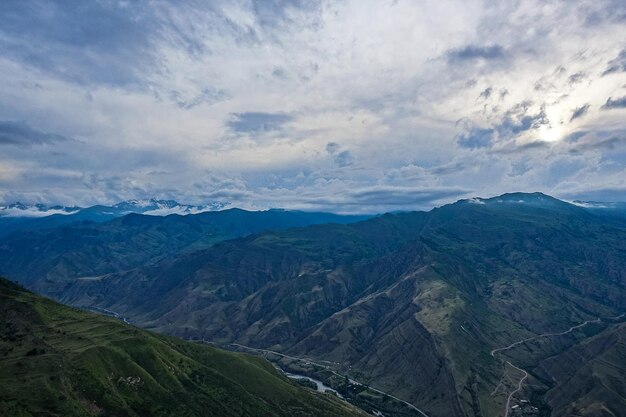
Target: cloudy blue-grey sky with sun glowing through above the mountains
346	106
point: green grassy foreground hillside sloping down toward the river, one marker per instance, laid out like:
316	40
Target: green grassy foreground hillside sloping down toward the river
55	360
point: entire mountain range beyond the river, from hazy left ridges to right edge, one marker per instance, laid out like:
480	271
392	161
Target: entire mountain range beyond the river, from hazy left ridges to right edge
481	308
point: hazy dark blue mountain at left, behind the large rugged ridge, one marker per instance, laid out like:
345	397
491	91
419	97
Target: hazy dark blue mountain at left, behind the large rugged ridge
45	259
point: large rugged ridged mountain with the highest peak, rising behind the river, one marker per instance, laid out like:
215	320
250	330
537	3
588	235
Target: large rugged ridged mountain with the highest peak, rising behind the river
409	303
